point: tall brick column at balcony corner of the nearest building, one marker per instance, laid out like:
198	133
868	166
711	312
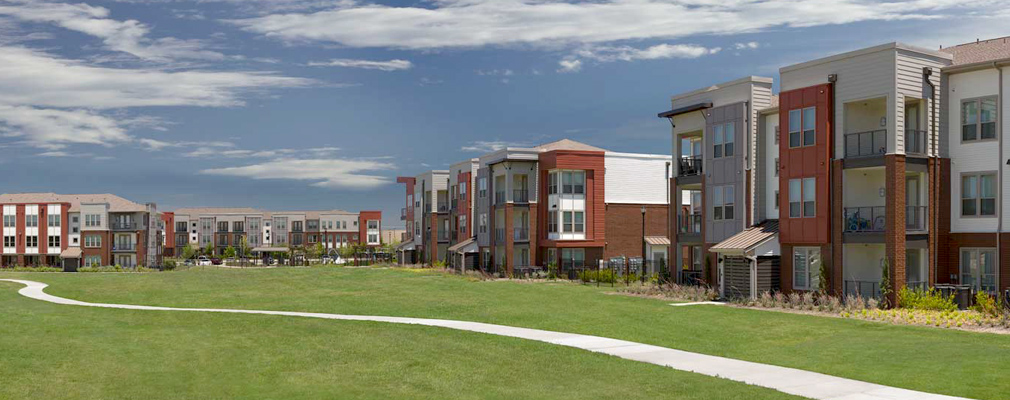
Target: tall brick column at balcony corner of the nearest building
894	235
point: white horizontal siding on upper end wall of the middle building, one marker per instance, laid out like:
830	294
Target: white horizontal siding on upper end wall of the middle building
637	180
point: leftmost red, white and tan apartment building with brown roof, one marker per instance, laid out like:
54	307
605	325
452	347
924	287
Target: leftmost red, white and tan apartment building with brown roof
79	230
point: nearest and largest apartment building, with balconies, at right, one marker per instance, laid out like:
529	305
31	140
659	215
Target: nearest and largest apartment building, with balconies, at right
889	157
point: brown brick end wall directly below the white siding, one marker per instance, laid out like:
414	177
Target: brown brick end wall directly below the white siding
625	228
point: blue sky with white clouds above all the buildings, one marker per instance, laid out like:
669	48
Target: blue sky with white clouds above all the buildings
310	105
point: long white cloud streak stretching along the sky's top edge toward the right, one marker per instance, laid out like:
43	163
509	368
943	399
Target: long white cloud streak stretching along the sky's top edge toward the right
475	24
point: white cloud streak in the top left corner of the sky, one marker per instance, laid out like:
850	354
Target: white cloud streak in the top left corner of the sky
129	37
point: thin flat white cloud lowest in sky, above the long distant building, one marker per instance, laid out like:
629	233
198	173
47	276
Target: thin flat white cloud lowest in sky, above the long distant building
324	173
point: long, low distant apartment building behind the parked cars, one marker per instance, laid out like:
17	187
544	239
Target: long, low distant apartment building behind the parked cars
262	232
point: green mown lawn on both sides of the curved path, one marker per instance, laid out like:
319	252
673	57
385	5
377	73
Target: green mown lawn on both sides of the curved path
948	362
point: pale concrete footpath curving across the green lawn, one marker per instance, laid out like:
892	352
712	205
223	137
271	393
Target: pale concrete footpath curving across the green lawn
786	380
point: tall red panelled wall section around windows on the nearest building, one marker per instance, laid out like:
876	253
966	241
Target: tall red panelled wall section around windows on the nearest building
809	162
